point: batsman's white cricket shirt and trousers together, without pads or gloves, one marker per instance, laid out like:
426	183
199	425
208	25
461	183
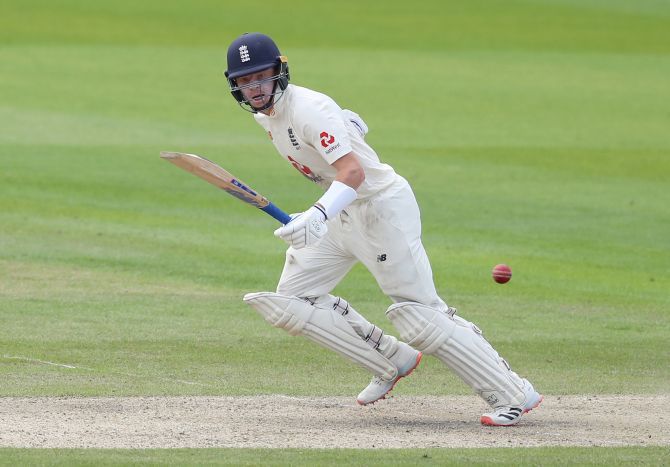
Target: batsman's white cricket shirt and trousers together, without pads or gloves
381	229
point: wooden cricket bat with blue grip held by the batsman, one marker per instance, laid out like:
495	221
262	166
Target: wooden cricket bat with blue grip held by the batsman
217	176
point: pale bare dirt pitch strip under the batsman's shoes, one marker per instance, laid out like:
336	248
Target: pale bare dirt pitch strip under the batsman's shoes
319	422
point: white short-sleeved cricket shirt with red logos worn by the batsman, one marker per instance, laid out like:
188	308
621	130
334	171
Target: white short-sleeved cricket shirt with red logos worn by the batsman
310	131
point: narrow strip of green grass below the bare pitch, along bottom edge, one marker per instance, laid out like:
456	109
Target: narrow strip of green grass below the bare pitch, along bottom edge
354	457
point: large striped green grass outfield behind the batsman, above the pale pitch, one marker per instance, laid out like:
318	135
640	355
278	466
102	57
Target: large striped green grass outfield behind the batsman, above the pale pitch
534	133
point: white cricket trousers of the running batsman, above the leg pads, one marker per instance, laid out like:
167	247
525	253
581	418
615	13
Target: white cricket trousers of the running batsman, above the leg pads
384	233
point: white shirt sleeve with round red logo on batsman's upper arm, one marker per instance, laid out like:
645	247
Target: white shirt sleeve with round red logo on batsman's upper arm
322	126
